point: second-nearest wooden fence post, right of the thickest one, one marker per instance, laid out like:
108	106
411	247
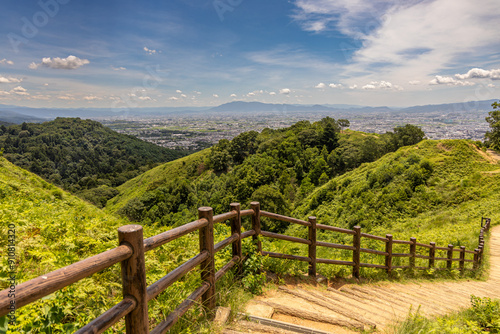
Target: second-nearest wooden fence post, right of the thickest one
208	266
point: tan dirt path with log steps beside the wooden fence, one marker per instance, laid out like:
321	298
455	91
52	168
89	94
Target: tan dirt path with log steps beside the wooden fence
353	307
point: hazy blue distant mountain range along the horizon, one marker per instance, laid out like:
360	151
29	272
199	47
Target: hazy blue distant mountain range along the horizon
17	115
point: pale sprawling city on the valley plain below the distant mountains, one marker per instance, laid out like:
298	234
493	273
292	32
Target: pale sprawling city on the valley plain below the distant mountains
196	131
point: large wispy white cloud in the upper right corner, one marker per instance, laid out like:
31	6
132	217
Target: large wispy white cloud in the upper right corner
405	39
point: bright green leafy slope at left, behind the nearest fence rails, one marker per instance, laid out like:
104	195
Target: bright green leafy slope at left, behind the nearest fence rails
54	229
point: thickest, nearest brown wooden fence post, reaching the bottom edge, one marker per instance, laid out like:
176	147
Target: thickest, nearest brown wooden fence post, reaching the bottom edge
134	279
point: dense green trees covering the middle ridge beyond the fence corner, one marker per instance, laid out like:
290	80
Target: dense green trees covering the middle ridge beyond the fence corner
279	168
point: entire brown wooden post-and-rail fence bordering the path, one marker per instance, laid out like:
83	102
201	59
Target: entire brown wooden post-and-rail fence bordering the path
132	248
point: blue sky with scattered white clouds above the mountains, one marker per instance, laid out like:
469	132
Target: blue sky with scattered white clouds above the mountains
70	53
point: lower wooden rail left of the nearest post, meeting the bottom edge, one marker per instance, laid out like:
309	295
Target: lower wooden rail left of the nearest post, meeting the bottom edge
109	318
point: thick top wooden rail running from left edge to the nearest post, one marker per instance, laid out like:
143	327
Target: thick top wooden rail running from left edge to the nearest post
44	285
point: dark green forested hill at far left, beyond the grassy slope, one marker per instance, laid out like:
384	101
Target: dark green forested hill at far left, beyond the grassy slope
81	156
